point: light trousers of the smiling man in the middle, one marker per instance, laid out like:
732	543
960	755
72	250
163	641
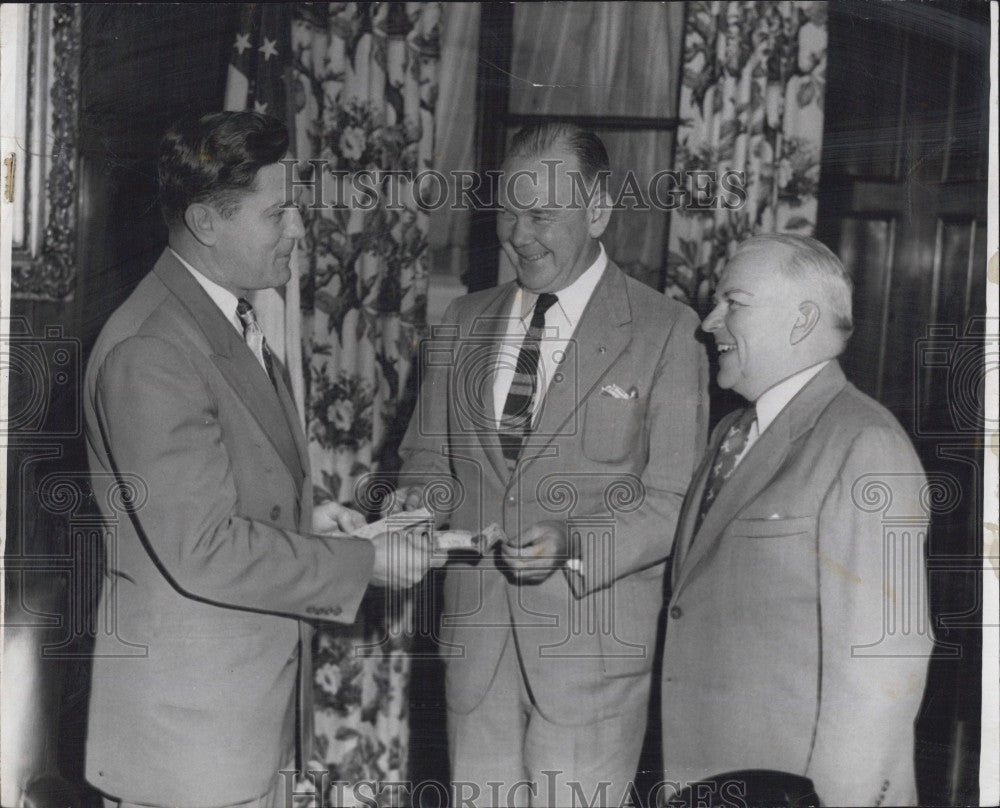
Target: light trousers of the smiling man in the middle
506	753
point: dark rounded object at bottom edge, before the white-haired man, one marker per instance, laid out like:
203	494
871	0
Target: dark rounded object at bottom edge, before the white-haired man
748	788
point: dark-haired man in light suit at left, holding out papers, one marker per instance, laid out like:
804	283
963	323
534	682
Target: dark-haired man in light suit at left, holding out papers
215	555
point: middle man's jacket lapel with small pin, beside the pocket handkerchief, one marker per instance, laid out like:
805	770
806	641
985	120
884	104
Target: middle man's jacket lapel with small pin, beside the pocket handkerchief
603	333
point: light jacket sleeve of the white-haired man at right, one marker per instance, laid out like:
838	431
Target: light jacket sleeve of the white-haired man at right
875	639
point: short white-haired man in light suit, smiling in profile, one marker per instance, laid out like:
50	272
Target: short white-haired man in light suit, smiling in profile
797	637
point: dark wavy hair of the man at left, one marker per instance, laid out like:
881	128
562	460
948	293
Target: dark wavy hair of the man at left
215	159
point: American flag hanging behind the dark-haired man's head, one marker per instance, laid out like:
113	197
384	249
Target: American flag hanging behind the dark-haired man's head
259	80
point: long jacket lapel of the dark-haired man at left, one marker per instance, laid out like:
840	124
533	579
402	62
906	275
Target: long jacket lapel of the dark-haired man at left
234	360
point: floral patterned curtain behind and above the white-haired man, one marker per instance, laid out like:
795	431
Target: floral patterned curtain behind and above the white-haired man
754	75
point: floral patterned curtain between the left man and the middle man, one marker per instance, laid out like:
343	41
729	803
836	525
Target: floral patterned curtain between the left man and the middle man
364	90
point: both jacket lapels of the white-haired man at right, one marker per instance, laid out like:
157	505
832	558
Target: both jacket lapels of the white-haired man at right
755	471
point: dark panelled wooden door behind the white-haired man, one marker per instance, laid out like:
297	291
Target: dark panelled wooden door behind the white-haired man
903	202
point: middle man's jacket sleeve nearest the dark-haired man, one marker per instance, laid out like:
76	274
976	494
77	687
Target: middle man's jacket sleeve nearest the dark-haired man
424	449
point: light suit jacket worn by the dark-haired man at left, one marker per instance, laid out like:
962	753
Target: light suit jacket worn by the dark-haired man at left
200	470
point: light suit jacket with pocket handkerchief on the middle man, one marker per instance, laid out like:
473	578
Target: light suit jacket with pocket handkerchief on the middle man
616	467
